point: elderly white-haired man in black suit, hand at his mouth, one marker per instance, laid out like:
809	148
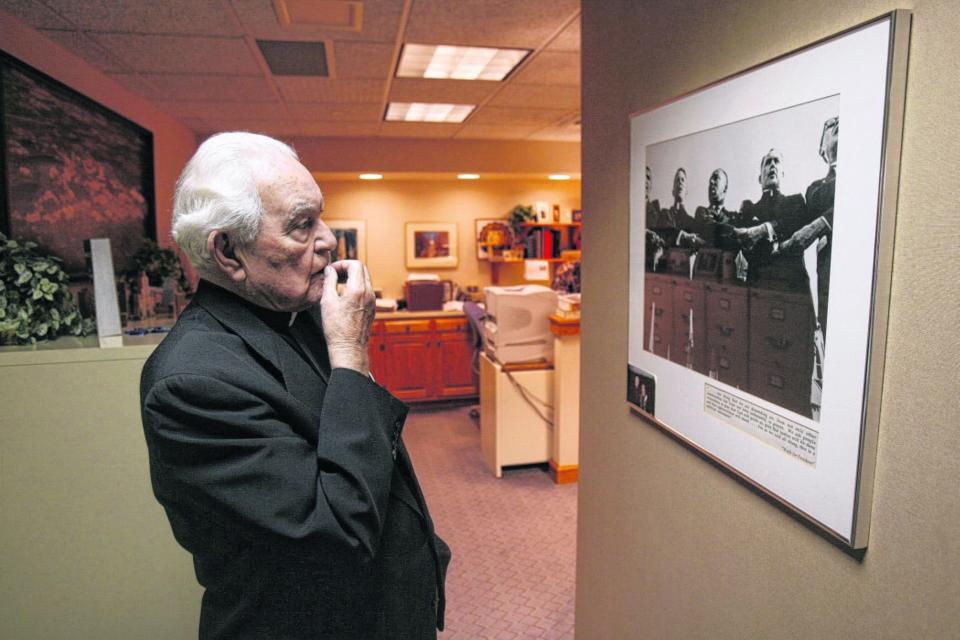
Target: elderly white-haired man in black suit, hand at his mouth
276	456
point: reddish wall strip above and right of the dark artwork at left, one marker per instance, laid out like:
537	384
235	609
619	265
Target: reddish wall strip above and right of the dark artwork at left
173	143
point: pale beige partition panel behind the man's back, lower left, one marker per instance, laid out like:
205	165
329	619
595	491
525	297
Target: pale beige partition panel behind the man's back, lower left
85	549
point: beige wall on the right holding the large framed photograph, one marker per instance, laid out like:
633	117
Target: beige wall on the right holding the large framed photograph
668	545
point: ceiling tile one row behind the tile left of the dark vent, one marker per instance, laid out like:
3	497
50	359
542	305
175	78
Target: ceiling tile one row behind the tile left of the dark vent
177	87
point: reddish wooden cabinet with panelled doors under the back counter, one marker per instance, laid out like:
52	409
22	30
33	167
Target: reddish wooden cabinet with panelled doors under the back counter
424	358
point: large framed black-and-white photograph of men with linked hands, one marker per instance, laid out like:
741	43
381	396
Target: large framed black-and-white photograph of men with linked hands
759	314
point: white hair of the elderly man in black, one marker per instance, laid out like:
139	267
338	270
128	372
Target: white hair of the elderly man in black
218	191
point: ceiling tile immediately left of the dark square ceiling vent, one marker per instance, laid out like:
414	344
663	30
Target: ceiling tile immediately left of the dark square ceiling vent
180	54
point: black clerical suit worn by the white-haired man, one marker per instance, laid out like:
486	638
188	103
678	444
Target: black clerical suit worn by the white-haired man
288	482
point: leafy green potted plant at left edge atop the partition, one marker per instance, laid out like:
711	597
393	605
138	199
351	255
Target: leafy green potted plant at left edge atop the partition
35	299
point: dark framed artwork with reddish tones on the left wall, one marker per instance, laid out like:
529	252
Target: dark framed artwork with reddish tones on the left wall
72	170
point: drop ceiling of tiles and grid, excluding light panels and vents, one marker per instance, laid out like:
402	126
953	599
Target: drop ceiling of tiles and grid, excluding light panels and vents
195	60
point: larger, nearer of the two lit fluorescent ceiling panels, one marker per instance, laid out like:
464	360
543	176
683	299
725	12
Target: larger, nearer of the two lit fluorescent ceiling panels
457	63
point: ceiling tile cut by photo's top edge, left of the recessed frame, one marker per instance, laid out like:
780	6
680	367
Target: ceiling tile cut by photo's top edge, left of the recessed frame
144	16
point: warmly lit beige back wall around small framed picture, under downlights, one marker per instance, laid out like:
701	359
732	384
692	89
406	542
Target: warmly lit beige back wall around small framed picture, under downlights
388	205
